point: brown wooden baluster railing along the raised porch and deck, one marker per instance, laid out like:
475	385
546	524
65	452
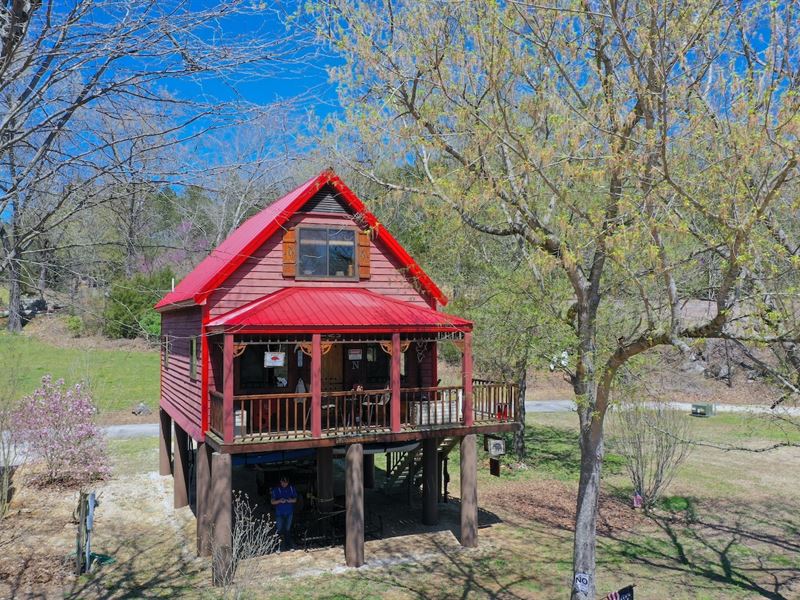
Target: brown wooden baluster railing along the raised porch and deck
288	416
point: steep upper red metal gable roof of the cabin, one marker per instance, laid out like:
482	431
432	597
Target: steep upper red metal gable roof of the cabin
230	254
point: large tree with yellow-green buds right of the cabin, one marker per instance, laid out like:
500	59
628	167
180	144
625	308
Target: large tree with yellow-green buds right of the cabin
645	152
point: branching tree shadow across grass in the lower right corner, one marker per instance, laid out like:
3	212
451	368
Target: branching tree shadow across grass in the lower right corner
752	548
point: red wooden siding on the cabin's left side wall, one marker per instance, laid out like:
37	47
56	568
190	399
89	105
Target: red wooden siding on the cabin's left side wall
180	394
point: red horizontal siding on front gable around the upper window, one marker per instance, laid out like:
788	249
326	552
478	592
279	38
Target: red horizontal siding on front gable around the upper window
262	273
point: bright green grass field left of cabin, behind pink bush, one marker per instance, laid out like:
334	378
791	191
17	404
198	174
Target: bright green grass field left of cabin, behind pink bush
119	379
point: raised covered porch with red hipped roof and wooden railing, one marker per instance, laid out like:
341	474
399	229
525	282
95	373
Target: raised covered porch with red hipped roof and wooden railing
306	364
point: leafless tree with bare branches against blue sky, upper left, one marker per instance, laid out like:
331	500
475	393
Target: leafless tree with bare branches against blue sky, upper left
69	70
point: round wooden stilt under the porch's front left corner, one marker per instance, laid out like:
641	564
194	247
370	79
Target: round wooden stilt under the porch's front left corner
221	517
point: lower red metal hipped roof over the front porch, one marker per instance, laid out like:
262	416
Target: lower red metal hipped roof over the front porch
331	309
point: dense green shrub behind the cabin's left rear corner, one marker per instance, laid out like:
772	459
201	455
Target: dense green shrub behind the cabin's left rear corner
129	312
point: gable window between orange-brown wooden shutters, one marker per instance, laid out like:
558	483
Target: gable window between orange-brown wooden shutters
326	252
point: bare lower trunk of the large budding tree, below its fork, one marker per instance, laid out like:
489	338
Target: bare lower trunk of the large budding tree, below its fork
584	553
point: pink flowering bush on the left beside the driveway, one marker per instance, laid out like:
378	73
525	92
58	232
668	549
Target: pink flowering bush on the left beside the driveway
56	425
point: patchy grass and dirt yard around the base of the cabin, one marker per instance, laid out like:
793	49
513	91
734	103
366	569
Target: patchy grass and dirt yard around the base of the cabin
727	529
